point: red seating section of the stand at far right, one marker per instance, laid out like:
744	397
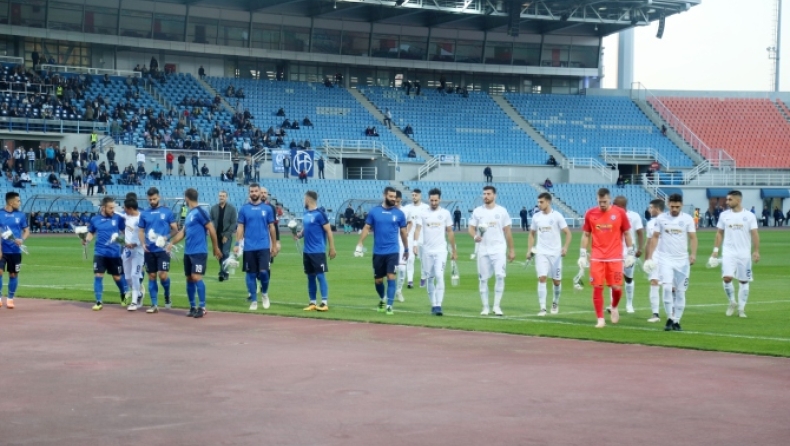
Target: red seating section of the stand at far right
753	131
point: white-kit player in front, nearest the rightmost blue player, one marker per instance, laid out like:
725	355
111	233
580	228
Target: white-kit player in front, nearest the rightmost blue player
432	225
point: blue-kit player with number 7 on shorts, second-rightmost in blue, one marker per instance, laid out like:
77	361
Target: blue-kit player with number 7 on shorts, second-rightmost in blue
316	232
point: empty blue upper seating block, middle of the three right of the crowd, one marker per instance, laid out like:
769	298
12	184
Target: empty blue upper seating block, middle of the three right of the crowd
473	127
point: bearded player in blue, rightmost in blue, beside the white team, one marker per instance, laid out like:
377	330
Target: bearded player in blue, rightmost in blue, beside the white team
388	223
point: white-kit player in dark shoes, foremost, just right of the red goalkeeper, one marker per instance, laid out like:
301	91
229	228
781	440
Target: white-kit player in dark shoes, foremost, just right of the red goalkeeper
673	234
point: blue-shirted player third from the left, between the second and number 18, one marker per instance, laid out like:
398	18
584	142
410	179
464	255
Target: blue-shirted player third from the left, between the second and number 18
157	224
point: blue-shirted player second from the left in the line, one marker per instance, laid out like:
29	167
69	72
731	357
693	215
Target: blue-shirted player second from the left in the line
106	253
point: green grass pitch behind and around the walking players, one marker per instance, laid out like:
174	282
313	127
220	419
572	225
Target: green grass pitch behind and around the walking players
55	270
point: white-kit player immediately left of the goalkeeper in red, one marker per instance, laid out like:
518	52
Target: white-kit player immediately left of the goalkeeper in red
548	226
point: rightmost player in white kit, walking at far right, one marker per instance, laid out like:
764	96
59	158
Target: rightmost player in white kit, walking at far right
737	228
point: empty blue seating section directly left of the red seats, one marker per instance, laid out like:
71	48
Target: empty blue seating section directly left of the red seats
581	126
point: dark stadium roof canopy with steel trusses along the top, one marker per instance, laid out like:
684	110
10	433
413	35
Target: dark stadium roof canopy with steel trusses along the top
574	17
